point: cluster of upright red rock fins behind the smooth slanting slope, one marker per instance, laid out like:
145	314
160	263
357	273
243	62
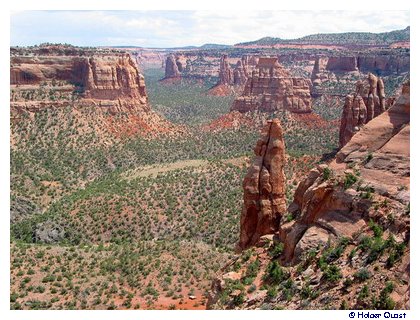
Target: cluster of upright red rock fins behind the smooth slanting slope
366	103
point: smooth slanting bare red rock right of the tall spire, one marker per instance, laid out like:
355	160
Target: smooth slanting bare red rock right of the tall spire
327	199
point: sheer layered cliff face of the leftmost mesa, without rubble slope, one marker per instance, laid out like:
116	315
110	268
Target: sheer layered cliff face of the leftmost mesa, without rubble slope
106	79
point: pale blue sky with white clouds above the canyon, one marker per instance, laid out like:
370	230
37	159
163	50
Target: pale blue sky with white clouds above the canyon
165	29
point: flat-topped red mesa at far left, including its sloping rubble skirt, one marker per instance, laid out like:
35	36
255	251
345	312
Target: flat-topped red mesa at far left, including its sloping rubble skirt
99	83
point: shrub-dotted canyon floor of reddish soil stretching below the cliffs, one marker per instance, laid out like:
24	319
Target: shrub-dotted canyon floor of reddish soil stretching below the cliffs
105	218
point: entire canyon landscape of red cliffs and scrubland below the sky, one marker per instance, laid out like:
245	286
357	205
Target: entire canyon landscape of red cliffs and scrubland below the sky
129	172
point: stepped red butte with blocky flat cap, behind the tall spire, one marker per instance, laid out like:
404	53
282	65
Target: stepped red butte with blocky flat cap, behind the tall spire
272	88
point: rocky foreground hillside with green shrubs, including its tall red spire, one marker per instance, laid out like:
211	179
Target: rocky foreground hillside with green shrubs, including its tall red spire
344	242
